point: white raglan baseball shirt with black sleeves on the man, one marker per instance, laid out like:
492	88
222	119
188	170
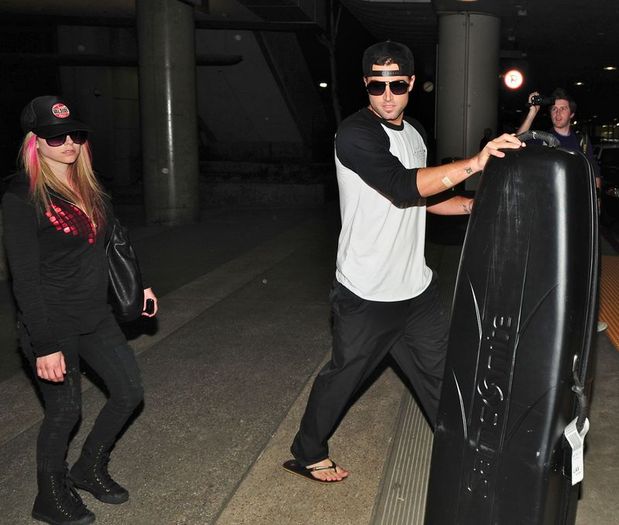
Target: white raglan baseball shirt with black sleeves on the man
381	245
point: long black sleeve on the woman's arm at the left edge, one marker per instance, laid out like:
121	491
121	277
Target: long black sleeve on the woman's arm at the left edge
20	225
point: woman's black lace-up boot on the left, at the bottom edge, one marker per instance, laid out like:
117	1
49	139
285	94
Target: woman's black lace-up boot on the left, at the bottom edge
57	502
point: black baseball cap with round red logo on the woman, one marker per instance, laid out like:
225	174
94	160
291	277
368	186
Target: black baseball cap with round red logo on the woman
48	116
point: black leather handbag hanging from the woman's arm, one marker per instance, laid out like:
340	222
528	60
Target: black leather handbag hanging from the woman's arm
126	293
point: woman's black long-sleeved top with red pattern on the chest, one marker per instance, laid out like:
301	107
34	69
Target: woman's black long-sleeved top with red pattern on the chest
58	265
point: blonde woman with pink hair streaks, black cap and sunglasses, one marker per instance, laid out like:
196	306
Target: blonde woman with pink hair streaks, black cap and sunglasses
56	218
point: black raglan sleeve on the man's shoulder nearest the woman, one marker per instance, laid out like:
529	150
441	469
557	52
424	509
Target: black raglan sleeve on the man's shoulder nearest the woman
365	150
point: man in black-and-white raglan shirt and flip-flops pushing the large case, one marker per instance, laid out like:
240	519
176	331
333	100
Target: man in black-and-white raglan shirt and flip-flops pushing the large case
384	298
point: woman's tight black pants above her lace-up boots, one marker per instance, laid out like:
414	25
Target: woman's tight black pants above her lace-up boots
106	351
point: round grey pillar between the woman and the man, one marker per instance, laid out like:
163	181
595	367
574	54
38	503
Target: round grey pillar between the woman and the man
168	112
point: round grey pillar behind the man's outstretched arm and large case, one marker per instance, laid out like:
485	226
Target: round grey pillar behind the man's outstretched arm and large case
468	82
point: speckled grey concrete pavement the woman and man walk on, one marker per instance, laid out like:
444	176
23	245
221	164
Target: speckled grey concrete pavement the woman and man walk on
244	326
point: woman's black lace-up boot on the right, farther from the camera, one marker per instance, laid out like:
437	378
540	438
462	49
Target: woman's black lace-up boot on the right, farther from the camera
90	473
